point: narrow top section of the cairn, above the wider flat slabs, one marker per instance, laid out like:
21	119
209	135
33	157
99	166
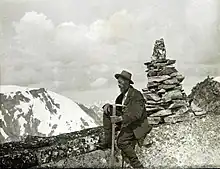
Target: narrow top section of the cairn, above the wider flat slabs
159	51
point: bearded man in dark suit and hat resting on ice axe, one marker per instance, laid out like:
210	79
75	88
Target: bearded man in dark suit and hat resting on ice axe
131	119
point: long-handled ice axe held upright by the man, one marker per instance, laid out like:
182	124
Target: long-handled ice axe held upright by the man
113	134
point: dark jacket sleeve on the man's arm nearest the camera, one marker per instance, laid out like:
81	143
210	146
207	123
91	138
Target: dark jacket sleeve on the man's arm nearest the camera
134	111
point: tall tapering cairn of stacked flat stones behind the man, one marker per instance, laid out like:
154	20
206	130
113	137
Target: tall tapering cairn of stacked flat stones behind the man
166	100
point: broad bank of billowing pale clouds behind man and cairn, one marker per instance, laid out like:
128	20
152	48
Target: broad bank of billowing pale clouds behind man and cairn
70	56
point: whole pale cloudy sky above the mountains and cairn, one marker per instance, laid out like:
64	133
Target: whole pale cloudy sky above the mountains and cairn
74	47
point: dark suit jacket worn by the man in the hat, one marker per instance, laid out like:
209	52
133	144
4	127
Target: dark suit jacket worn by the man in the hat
134	114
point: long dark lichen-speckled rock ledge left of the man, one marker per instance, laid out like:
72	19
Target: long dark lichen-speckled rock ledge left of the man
35	151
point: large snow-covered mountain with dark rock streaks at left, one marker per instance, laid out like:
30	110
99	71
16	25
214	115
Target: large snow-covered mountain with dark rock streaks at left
37	111
